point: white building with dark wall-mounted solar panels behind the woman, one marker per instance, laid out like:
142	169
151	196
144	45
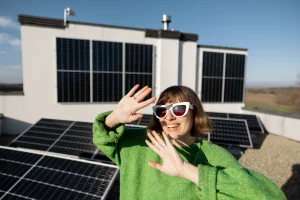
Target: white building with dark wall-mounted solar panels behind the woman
76	71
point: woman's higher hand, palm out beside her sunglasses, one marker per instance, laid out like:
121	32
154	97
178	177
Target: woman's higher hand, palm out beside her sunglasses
125	111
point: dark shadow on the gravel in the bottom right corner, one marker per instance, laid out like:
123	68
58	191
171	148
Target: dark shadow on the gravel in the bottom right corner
292	187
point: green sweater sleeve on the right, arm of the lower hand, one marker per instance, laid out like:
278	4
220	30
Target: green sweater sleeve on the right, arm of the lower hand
224	178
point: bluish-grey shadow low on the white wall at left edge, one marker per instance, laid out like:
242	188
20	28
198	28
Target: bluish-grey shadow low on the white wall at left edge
12	126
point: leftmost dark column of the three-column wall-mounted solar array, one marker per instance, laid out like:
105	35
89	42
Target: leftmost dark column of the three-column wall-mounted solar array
73	70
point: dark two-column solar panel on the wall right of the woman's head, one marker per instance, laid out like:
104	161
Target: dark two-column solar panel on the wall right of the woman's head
218	86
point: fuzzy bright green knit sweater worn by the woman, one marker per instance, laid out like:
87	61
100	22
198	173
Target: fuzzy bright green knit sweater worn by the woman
220	175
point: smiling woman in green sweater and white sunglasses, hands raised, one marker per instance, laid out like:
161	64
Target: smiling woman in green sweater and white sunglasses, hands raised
170	163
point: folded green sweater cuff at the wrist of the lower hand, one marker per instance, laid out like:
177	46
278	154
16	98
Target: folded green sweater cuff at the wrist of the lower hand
207	181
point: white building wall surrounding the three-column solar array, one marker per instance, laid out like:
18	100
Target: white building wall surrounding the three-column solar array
40	74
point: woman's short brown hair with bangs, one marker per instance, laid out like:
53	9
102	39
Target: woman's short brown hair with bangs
201	125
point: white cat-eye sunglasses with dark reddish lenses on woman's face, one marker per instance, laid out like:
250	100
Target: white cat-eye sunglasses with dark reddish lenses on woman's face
178	109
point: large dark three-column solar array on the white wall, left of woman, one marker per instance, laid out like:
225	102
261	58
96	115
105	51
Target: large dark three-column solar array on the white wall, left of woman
115	68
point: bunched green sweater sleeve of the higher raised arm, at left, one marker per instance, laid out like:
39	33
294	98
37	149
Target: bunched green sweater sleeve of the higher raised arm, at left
107	139
